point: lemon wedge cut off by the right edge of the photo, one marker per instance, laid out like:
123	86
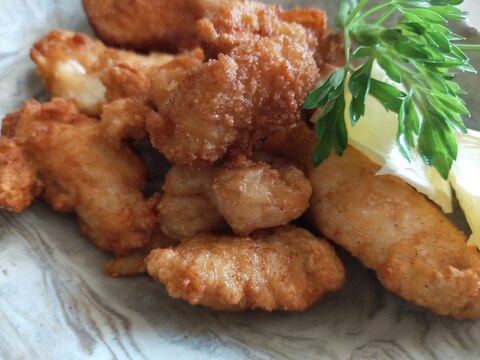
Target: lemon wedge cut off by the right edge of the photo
465	177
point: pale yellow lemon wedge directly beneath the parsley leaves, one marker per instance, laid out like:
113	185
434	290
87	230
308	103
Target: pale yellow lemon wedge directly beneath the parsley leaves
375	136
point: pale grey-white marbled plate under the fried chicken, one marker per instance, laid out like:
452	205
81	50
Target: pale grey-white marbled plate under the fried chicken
55	303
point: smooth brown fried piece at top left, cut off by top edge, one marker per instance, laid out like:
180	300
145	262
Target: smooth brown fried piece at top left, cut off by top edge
149	24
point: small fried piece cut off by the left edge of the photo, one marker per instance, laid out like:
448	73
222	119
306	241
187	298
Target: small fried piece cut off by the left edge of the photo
18	180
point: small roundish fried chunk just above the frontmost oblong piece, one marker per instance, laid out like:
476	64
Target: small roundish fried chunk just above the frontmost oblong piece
267	193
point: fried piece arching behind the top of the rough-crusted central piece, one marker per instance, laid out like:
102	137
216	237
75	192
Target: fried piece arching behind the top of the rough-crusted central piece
240	21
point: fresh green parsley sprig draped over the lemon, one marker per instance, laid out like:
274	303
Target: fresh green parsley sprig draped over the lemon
420	53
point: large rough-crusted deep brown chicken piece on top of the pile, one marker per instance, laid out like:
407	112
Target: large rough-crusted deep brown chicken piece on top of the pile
227	105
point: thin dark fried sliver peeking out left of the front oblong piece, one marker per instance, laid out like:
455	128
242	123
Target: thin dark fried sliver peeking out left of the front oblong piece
134	263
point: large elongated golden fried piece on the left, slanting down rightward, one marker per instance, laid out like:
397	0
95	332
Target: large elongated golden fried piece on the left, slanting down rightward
80	171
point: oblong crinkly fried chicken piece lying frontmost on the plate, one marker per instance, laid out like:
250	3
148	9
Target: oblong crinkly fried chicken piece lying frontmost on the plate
284	269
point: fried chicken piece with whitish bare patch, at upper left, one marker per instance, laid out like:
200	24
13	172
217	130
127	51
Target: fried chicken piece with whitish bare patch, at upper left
76	67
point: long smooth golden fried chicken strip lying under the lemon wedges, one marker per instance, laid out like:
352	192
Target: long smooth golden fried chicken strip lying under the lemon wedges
416	251
